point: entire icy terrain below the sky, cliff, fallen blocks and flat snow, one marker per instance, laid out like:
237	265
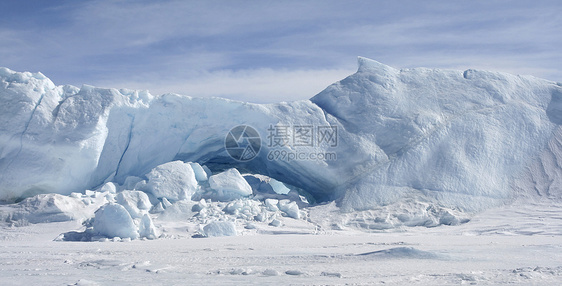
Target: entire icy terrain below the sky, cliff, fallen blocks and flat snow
426	176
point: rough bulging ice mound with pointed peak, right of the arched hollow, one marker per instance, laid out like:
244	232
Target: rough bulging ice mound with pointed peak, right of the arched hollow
462	138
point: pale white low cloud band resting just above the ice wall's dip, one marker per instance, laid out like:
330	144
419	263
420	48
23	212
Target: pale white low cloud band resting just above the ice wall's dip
258	86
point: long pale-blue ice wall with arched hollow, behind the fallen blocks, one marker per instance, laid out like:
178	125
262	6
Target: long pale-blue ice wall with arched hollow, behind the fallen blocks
458	139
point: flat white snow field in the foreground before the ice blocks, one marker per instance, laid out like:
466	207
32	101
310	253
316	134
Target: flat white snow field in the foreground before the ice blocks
520	244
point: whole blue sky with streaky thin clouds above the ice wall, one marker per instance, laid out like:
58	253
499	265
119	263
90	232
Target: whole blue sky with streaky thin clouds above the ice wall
271	51
